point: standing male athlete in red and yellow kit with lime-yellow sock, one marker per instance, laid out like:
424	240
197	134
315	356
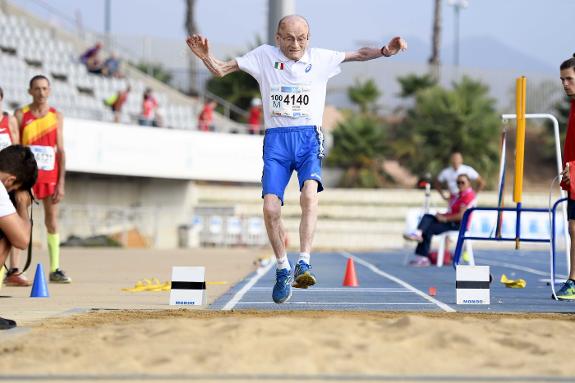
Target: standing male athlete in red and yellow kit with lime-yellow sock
41	129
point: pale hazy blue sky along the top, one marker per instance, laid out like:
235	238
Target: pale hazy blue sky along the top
543	29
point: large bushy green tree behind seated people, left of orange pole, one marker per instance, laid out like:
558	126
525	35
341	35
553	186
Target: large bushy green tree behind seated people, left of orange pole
442	120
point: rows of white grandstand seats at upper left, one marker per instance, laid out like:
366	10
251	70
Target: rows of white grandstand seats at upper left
29	46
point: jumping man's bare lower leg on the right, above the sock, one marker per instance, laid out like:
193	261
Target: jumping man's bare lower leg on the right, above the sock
309	203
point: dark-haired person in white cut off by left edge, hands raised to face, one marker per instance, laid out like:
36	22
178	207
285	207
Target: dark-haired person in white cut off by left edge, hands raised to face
18	173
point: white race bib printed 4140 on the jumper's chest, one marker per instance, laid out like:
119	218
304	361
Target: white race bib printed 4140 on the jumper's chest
290	101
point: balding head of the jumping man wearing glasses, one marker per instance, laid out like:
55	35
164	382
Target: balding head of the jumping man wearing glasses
292	36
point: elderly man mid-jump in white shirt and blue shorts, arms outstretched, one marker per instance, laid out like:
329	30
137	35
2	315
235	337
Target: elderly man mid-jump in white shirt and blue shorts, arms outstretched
292	79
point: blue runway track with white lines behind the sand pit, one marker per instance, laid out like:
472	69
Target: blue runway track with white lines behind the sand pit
386	283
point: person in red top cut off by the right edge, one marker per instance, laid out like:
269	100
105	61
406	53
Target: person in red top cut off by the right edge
567	73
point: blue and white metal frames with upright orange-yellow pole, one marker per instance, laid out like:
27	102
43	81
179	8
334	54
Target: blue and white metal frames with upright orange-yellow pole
521	116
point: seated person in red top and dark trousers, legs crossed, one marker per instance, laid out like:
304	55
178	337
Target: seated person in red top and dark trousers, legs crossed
431	225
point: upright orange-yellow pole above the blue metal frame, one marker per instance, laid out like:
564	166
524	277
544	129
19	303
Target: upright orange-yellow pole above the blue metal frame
521	87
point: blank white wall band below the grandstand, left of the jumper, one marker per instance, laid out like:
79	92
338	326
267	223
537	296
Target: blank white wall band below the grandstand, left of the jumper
118	149
